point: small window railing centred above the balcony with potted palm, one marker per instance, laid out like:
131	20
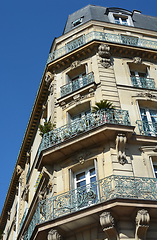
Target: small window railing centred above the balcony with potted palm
77	84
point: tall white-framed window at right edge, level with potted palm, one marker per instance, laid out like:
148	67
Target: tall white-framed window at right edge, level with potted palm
149	121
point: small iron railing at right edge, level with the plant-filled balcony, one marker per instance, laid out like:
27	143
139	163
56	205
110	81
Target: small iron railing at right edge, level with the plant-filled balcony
147	128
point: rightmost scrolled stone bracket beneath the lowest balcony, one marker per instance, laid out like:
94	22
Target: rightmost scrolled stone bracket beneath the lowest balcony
142	224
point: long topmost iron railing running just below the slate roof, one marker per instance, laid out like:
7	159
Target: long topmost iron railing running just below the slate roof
106	37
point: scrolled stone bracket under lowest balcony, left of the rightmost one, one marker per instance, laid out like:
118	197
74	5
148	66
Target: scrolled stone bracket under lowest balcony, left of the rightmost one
108	225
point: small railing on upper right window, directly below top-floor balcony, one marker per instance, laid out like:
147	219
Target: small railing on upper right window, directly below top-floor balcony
143	82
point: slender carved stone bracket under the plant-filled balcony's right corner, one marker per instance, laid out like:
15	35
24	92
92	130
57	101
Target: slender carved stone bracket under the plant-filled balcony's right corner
120	147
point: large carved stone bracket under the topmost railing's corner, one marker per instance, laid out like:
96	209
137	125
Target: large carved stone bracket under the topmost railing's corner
104	54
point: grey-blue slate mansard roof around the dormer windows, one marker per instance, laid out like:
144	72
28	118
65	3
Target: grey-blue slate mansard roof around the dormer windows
92	12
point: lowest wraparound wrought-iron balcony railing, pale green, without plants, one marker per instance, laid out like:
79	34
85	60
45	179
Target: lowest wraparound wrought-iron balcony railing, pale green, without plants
112	187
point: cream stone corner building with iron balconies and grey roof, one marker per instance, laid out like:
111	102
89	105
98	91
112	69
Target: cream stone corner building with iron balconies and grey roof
94	175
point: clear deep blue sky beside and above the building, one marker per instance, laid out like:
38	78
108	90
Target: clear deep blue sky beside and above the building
27	29
